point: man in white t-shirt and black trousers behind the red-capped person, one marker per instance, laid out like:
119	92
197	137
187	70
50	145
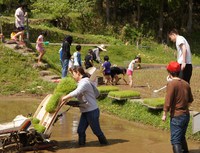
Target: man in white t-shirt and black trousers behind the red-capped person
184	57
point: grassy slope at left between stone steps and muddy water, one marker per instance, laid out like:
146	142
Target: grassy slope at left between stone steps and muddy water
18	75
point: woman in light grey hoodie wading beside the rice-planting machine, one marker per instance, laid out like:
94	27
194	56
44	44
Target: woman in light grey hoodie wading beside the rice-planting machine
85	93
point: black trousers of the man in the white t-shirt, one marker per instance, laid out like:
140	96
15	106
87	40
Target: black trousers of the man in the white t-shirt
186	73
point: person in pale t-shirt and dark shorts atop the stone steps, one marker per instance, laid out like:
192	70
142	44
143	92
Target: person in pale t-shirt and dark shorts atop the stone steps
19	22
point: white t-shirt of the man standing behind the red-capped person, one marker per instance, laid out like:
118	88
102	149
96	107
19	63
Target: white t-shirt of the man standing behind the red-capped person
181	40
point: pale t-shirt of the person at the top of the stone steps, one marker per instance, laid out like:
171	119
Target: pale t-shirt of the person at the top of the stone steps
20	14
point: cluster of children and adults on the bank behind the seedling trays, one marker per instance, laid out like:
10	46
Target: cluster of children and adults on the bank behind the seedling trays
110	72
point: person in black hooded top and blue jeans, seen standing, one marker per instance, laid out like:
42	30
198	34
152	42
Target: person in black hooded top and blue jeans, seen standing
66	54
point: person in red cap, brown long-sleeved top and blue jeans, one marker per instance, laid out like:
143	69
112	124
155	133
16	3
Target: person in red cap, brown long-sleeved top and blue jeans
177	101
